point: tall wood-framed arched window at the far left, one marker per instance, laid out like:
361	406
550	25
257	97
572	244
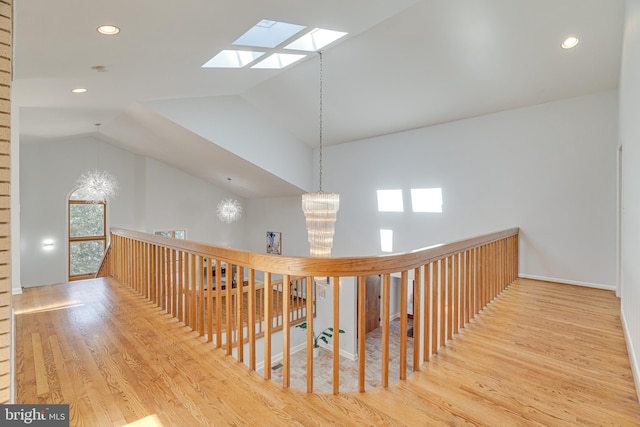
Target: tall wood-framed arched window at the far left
87	236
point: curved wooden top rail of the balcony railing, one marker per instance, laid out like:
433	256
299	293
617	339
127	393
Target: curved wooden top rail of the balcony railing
307	266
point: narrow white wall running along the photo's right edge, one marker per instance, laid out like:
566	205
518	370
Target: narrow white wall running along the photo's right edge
630	140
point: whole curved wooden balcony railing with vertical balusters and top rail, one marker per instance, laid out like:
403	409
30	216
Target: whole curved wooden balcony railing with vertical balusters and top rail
451	284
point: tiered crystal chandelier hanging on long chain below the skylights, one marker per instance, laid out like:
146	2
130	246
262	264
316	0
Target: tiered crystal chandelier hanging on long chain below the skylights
320	209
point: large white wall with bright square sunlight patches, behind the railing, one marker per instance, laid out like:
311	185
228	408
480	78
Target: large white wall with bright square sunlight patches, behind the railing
549	169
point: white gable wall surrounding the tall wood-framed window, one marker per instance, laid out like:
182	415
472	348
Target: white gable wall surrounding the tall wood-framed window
48	173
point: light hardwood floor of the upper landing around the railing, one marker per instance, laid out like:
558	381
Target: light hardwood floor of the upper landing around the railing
540	354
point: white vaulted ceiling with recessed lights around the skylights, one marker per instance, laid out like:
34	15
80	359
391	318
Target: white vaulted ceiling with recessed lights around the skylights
405	64
